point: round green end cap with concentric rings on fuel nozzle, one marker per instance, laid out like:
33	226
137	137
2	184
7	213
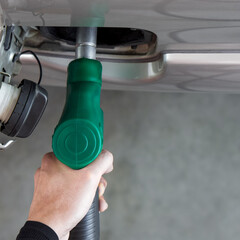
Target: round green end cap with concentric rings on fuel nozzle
77	143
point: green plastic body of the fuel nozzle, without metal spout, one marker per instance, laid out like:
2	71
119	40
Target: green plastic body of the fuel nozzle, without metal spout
78	137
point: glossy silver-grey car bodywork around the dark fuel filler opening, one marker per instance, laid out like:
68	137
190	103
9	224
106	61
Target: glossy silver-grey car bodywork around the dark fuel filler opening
197	46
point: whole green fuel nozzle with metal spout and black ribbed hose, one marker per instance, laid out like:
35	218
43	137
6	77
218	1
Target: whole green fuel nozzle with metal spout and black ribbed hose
78	137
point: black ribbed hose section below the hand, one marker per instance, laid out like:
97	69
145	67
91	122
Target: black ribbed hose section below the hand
88	228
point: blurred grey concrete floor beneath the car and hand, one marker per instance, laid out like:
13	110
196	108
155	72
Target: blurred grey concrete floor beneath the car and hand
177	167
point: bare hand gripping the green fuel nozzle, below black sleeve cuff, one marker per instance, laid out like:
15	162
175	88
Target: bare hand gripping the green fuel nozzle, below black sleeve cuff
62	196
